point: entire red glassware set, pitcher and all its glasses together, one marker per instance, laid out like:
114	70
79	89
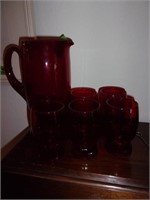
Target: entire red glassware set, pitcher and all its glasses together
51	102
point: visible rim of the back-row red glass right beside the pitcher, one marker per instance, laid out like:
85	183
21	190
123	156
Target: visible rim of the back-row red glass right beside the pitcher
84	93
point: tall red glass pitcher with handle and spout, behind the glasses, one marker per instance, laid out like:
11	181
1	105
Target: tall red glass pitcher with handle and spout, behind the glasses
44	66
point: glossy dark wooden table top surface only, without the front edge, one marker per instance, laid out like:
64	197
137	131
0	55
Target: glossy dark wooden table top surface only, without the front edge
105	170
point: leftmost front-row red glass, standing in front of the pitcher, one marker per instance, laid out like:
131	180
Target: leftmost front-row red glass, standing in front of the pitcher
46	122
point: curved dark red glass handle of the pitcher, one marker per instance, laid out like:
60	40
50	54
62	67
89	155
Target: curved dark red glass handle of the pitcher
7	57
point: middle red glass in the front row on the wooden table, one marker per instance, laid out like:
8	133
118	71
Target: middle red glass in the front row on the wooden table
84	139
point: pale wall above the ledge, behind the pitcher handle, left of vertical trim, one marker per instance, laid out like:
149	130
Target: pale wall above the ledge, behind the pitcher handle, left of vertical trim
13	26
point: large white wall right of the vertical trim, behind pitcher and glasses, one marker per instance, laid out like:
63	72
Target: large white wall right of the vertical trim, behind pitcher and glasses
111	42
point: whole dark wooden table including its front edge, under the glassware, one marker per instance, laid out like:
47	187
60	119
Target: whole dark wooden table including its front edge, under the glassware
105	176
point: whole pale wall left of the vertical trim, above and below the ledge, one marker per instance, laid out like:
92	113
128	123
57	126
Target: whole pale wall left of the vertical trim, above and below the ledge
13	107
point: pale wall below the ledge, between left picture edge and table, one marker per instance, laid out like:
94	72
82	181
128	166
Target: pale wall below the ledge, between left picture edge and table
13	113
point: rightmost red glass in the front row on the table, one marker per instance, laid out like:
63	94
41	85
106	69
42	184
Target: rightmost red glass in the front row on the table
123	124
